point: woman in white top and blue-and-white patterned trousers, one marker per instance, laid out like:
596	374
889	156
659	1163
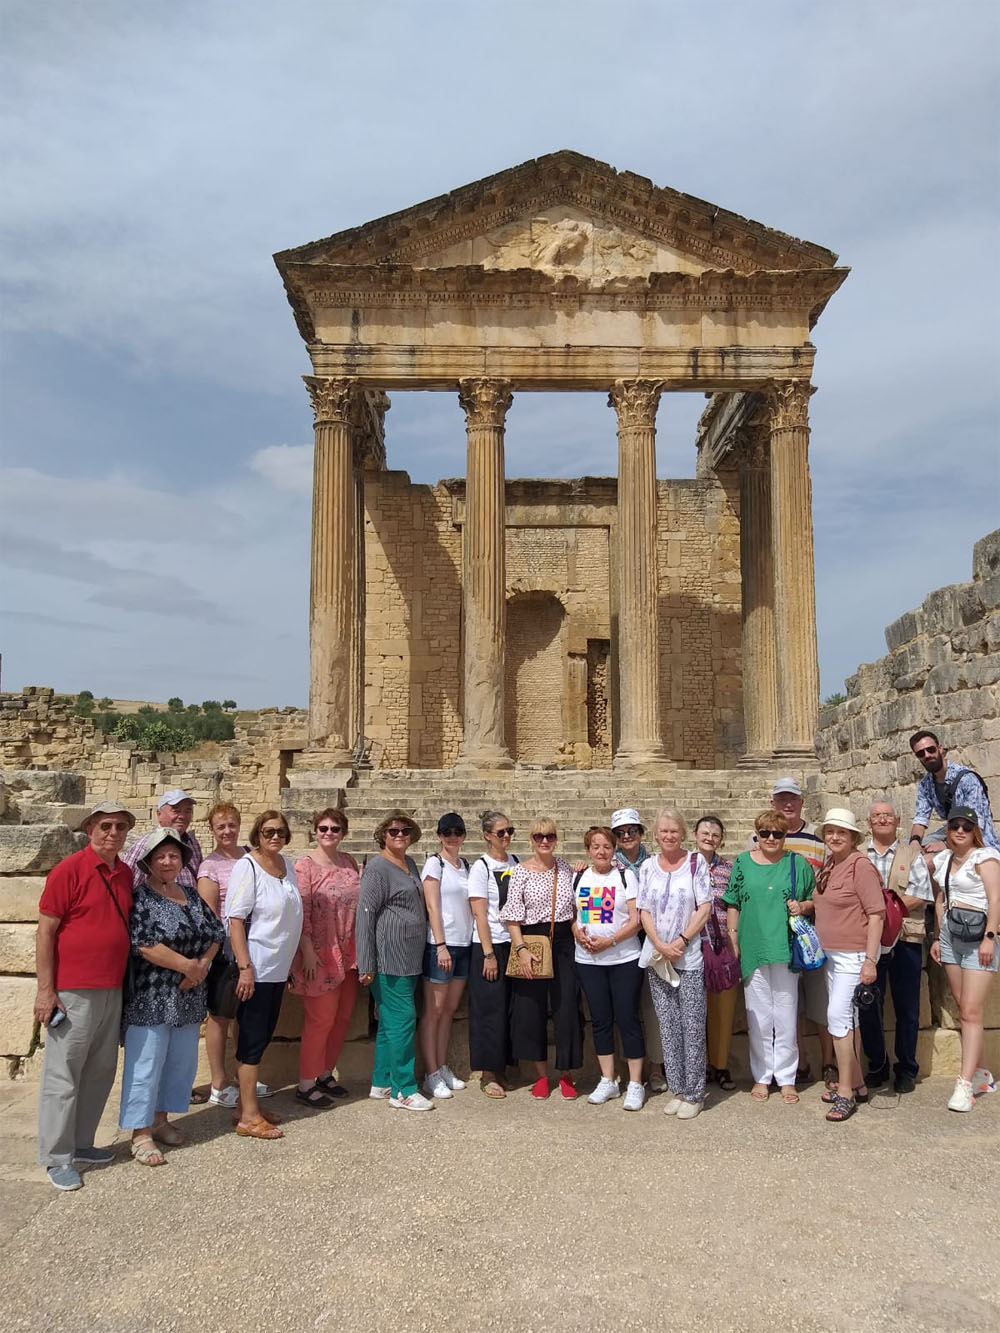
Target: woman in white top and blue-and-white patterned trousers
675	899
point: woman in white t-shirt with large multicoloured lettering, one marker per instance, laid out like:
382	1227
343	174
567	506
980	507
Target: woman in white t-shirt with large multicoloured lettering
607	963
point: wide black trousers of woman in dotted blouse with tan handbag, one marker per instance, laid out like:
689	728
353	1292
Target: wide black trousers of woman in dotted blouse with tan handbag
531	1006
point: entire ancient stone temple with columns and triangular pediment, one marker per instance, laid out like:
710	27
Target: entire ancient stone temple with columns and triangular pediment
630	623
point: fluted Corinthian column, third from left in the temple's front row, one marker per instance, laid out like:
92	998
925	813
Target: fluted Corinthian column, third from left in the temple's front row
638	638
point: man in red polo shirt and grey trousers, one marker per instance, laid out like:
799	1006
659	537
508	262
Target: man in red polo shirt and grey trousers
81	956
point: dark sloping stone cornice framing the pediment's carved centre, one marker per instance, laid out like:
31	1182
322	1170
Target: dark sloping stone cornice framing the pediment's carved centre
690	225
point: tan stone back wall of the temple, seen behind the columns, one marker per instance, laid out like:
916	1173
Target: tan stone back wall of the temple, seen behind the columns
561	546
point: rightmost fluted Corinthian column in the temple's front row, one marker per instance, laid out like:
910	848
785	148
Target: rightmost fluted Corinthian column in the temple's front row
795	582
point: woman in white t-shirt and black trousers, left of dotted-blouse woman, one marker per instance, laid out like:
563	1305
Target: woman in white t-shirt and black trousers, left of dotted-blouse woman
490	994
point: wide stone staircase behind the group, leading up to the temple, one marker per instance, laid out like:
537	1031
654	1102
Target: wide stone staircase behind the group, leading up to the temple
574	799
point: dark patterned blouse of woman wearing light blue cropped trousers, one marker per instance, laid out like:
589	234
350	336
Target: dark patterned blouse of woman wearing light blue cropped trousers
189	930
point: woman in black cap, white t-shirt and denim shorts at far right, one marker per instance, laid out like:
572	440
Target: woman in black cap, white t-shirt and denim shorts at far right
967	896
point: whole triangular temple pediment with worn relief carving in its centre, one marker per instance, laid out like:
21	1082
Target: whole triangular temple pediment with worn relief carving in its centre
566	214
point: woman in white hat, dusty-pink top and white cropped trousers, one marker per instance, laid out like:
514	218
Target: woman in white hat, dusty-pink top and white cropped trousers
850	915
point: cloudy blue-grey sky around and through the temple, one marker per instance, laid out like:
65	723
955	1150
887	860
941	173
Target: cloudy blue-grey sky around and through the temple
155	434
